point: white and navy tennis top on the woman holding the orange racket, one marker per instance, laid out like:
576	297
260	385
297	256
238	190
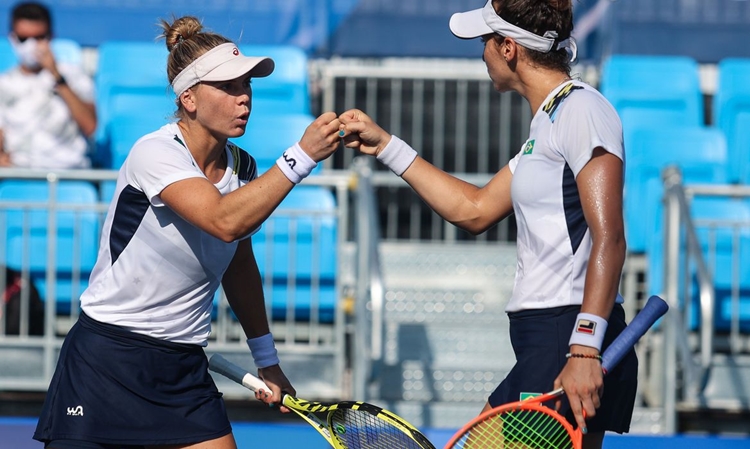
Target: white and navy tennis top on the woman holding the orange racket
553	240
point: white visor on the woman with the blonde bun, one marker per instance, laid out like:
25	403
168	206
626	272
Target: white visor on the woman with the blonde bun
221	63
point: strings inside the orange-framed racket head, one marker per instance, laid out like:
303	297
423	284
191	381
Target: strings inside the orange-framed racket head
517	429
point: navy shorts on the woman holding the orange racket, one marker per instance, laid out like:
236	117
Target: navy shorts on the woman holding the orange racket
540	342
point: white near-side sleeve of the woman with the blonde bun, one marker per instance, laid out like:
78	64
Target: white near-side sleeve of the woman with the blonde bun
155	162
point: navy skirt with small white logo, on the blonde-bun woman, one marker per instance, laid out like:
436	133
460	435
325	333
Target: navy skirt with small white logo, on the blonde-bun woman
113	386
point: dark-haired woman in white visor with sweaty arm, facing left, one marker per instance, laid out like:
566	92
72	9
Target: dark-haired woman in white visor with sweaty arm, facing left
565	188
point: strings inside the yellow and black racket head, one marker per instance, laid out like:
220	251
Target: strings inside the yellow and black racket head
360	429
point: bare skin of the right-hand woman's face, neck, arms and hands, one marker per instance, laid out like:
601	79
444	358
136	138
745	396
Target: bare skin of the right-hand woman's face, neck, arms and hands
475	209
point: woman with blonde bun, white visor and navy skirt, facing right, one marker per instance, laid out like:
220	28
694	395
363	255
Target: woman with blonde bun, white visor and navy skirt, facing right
132	372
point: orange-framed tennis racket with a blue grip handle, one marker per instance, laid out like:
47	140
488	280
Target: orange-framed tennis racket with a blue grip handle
530	424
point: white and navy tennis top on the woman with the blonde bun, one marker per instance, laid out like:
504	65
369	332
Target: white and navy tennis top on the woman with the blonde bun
156	274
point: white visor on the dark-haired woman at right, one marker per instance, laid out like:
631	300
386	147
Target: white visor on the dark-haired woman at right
479	22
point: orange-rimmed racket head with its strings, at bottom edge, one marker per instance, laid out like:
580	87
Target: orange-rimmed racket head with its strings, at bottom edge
524	424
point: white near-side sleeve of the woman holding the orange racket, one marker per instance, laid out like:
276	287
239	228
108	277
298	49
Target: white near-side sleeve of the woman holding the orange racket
587	122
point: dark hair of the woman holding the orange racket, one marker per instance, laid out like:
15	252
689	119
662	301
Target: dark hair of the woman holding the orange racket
540	16
